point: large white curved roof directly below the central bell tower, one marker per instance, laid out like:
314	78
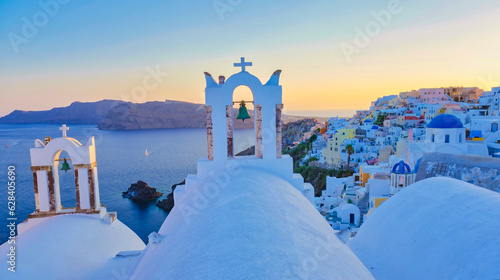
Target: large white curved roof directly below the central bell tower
257	226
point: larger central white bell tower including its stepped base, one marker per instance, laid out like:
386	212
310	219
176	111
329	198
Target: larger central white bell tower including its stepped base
267	100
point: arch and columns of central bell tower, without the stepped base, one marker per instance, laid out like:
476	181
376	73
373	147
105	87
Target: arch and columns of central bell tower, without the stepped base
267	101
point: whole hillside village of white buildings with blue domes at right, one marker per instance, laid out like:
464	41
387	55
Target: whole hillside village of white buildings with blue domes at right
386	158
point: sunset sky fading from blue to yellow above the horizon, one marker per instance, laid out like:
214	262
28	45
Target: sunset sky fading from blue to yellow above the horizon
94	50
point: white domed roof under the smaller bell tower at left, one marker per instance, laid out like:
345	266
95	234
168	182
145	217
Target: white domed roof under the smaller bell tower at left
74	246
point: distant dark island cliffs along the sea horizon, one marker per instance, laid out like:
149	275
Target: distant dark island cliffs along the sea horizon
121	115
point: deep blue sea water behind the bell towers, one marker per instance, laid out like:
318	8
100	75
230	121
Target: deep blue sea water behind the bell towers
121	161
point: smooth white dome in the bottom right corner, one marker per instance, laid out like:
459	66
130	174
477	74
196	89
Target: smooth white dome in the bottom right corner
437	228
